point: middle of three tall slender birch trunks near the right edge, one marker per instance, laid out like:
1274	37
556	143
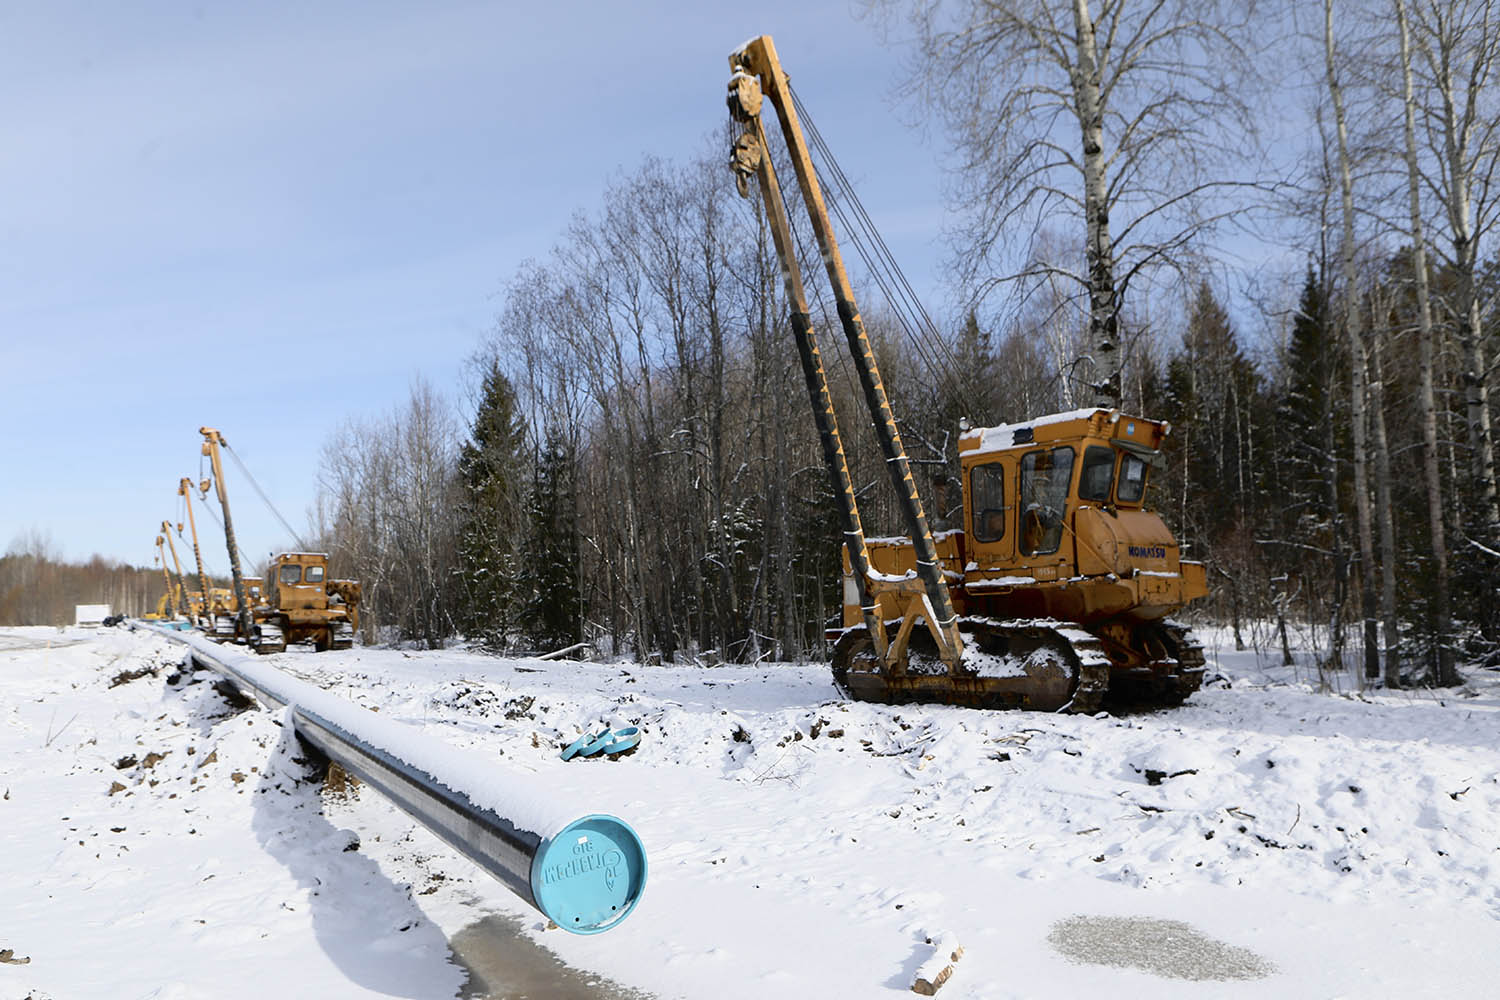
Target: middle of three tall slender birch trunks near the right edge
1427	398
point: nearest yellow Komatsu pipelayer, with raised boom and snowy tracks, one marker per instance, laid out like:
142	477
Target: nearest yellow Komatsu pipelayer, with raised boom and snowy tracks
1058	587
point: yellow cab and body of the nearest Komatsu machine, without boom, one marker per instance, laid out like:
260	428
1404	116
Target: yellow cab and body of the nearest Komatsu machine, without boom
1055	528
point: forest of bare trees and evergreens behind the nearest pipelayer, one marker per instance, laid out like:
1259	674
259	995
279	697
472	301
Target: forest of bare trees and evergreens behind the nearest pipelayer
1271	226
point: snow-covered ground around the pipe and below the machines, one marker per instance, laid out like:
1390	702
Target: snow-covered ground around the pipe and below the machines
1262	842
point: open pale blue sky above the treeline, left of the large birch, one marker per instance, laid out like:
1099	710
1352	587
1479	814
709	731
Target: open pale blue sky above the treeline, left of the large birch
271	218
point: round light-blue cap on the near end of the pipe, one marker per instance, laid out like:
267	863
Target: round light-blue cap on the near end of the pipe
590	875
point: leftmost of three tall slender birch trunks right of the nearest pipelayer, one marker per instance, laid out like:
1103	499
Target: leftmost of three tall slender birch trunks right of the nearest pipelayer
1357	359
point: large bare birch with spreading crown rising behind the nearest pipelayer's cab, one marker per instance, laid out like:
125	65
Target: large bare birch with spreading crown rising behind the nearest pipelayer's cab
1108	112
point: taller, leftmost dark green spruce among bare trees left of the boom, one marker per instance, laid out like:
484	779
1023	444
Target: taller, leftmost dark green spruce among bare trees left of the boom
493	476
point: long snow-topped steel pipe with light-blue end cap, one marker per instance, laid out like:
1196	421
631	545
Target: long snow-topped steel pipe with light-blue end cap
583	872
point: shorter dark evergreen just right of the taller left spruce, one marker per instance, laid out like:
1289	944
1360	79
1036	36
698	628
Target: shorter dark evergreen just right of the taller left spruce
550	561
